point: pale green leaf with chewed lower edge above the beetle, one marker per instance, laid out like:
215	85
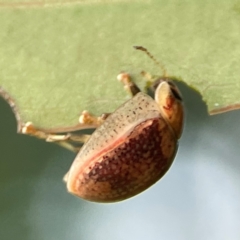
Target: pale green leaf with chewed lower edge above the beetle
59	58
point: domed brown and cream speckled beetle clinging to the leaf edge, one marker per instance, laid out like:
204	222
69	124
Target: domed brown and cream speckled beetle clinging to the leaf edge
132	148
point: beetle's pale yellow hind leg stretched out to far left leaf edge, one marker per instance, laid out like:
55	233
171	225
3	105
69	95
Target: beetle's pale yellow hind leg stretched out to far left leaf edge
67	140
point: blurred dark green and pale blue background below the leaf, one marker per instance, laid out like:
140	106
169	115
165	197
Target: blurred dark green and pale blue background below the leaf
199	198
